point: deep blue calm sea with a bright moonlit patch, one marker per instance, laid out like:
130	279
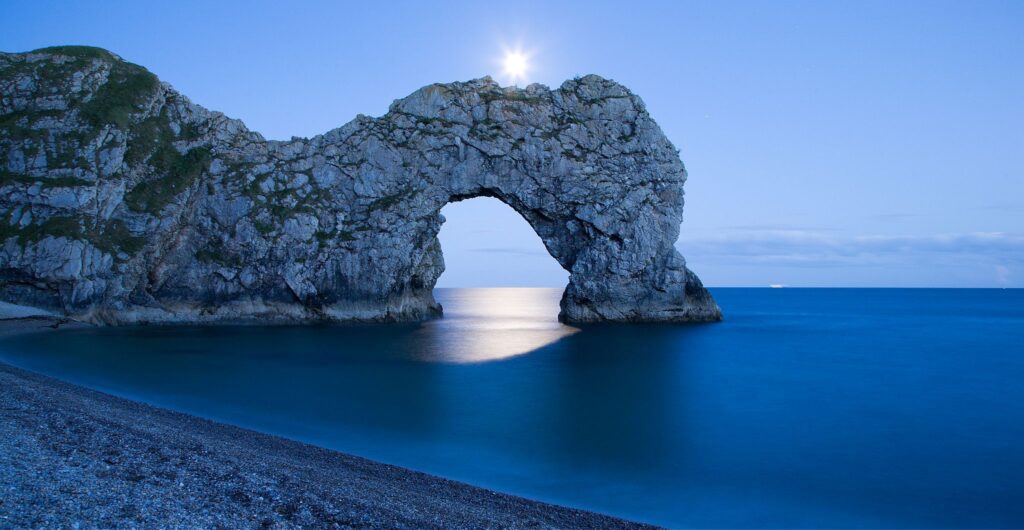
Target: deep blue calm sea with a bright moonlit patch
804	409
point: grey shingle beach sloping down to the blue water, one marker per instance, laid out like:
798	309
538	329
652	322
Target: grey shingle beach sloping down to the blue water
71	457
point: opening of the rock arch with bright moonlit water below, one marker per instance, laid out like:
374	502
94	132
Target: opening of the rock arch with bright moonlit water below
500	290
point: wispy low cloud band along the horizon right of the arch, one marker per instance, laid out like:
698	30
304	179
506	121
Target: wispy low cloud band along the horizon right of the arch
766	256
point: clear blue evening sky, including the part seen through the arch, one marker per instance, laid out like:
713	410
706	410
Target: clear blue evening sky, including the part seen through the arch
829	144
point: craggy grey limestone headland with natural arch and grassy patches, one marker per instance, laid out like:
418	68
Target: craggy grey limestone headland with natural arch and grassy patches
123	202
